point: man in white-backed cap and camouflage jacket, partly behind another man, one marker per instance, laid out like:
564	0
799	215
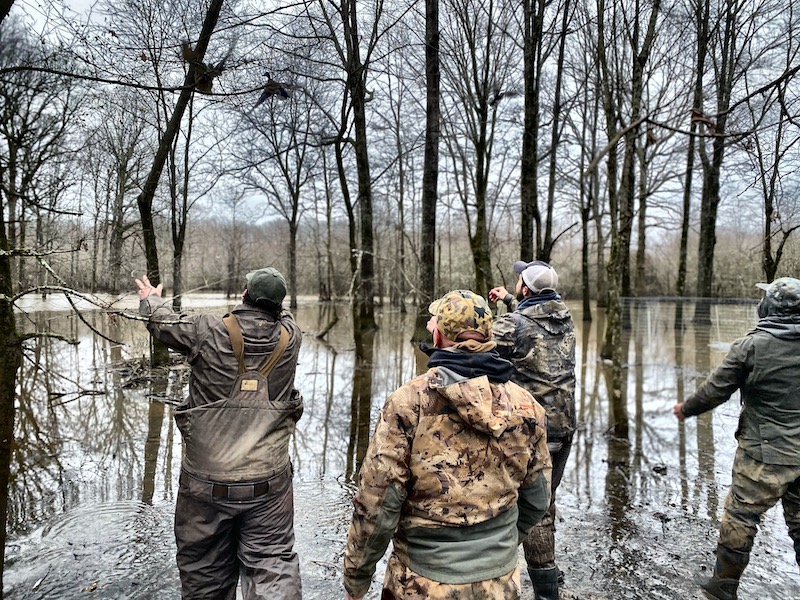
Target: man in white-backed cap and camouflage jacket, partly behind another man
538	337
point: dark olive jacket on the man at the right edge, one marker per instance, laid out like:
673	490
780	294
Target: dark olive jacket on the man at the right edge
764	366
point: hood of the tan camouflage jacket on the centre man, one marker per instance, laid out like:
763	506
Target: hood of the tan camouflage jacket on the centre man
484	406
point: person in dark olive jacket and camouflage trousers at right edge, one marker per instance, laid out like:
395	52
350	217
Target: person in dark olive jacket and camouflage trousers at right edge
764	366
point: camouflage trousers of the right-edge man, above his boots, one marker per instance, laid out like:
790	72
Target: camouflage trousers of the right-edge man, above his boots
756	487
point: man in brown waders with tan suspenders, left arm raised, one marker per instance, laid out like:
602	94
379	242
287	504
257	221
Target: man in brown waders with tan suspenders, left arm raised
234	514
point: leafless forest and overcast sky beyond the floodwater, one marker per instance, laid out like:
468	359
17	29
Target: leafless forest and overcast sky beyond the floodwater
389	151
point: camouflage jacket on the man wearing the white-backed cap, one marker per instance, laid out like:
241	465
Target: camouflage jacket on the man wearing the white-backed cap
539	339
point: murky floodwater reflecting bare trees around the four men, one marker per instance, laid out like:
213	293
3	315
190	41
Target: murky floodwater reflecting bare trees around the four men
95	472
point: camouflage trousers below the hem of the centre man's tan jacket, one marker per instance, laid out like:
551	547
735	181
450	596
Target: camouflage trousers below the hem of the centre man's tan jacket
401	583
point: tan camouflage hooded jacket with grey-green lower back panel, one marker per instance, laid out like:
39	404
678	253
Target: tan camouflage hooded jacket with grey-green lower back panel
456	474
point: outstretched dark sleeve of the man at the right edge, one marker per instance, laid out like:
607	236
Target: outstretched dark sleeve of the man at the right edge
724	381
